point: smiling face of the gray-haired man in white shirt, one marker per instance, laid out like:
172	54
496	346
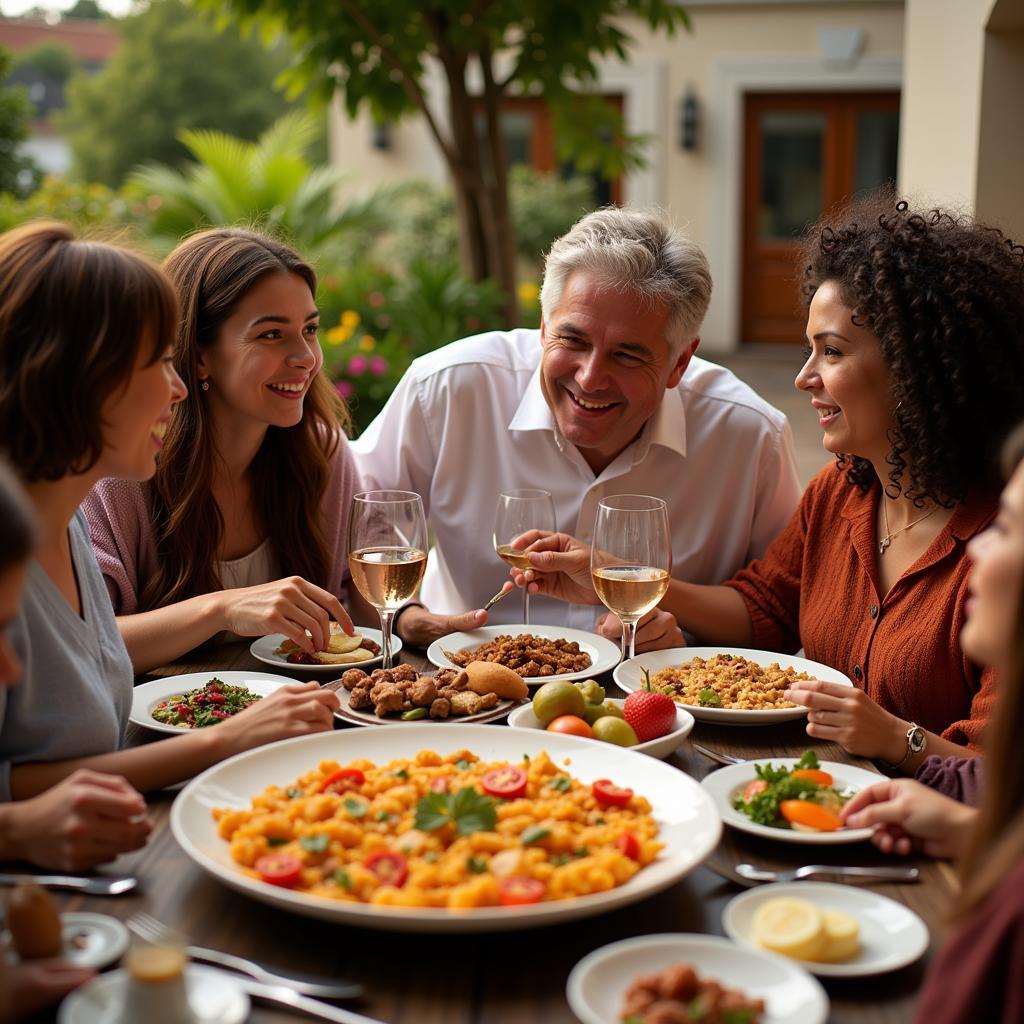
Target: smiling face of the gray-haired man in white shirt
607	365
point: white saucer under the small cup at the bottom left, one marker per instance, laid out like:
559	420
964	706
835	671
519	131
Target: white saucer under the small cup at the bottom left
215	996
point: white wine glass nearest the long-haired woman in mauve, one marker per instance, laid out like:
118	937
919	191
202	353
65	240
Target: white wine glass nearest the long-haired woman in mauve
388	552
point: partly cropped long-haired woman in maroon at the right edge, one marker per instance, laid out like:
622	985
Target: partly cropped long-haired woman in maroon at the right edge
977	976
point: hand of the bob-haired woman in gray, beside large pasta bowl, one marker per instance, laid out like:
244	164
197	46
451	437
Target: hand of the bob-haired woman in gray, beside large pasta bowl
291	711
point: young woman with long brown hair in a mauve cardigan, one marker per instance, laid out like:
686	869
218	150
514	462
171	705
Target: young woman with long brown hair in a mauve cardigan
244	527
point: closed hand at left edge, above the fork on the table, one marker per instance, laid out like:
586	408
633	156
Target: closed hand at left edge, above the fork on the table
87	820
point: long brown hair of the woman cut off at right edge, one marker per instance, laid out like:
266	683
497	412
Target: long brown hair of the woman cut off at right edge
998	842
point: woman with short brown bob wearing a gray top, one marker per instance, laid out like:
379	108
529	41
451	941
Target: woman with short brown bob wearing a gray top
88	387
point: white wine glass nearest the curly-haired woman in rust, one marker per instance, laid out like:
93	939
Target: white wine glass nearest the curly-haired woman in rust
631	560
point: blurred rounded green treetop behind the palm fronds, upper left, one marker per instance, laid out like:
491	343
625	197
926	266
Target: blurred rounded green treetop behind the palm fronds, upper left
173	72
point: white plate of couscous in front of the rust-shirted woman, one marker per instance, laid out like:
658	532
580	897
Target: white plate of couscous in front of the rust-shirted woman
727	686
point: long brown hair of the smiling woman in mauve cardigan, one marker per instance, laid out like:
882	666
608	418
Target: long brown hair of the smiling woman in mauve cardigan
214	272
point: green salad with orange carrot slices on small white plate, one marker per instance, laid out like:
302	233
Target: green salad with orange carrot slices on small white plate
802	798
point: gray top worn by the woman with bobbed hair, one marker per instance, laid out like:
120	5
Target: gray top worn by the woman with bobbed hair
75	695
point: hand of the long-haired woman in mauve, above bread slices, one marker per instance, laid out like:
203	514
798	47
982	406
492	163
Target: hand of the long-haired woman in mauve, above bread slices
293	607
